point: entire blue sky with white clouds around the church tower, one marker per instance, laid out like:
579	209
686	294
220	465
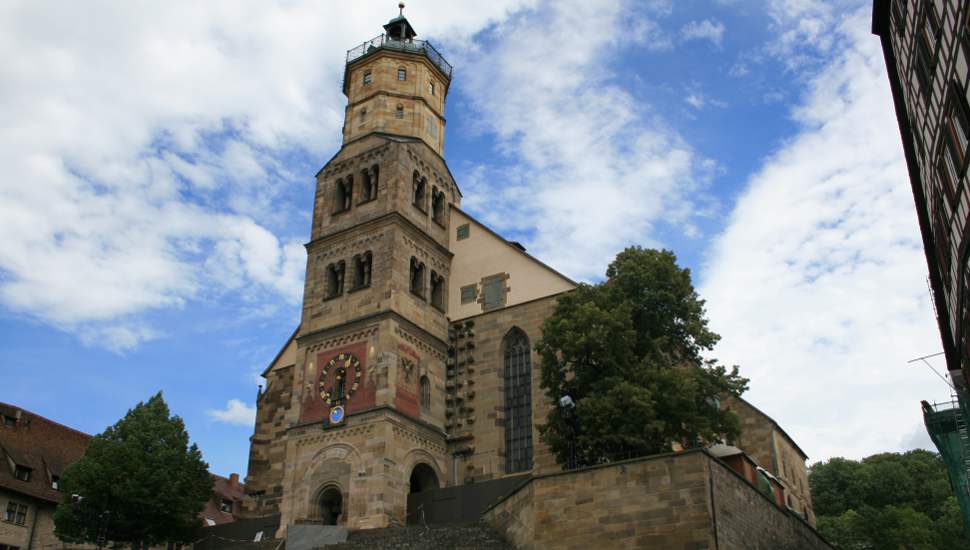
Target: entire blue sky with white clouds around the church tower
160	163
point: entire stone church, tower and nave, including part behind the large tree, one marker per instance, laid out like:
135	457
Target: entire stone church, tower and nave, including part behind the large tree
413	366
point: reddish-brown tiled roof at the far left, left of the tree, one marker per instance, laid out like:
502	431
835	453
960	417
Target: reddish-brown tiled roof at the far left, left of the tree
42	445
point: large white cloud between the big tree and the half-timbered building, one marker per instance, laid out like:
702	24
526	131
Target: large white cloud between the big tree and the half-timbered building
818	283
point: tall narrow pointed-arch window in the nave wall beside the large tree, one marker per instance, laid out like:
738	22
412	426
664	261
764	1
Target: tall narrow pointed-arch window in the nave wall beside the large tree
518	402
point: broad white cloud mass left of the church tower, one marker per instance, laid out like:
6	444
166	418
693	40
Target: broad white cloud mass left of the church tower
141	142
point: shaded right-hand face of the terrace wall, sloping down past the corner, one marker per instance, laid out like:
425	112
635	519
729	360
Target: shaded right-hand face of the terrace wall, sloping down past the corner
747	520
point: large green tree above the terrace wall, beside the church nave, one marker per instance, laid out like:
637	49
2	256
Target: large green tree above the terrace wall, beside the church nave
628	352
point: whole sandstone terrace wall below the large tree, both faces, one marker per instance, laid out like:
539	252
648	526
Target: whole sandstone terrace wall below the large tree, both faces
687	500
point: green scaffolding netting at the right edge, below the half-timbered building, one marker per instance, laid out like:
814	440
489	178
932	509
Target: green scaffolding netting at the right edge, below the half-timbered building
947	425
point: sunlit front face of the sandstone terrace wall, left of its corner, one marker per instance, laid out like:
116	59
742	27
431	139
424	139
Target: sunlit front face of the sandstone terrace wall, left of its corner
657	502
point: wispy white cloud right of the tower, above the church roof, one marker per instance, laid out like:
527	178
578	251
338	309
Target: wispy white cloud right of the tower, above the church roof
592	168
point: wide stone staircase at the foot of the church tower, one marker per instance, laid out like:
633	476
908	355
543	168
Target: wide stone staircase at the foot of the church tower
444	537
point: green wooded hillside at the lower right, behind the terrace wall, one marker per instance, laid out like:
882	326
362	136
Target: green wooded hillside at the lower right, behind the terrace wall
887	501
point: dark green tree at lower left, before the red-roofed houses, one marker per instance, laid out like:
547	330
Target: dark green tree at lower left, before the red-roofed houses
139	482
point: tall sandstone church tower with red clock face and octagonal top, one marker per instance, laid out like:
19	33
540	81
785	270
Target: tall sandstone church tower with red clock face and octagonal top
358	421
